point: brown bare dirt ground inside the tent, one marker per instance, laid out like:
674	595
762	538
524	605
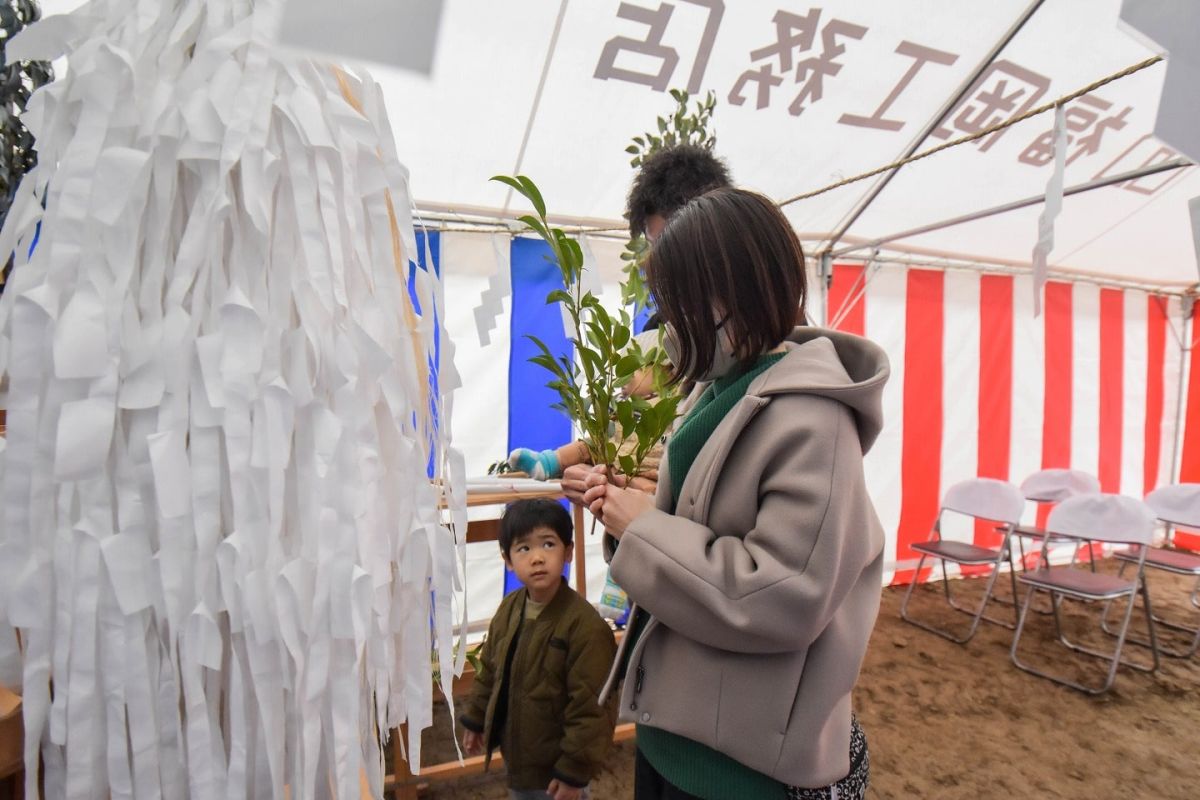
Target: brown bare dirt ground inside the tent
961	721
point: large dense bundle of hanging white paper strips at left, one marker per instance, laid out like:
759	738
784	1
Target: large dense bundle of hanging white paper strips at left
219	536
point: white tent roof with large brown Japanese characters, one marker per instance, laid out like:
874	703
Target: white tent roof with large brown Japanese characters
557	89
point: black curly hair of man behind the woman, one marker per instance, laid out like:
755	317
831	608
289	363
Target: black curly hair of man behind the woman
671	178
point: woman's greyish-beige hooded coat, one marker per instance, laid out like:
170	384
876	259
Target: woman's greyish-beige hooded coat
765	584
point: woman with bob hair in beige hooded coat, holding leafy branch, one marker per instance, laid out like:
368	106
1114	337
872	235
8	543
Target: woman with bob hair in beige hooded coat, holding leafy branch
757	568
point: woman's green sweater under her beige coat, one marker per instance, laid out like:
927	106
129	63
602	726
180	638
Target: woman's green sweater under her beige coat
689	766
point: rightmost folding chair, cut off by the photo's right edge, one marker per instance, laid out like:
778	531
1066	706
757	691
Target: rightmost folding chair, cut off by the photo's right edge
1174	506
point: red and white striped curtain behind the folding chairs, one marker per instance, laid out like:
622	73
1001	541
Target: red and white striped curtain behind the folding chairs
982	388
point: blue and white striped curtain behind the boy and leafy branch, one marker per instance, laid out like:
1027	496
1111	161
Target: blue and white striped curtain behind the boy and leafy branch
505	402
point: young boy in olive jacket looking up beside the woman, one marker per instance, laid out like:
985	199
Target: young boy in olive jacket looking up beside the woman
545	660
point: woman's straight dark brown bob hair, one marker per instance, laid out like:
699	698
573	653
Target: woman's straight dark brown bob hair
734	254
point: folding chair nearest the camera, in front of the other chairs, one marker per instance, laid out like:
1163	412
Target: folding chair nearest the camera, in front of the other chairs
1085	520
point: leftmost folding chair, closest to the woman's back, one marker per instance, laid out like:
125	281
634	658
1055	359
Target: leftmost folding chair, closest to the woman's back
983	500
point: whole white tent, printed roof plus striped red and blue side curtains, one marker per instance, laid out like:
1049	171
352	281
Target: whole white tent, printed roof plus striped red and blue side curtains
515	89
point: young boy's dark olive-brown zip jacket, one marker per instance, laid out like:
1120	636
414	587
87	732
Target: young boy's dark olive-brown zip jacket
554	726
